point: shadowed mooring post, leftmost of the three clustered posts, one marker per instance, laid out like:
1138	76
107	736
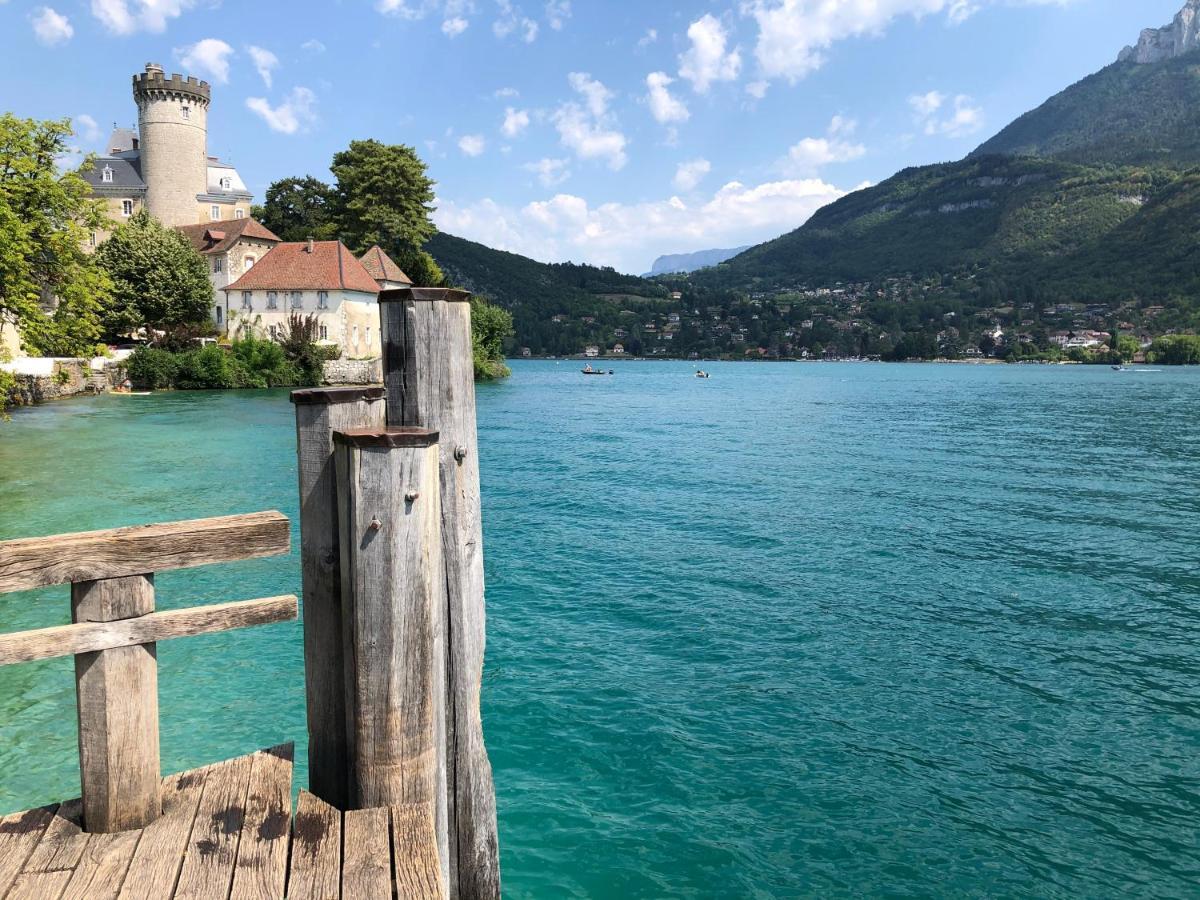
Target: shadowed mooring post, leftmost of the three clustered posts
320	413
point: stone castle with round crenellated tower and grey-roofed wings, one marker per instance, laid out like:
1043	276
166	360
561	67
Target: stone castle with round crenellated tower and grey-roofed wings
165	165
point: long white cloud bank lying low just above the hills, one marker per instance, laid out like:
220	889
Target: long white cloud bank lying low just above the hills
629	237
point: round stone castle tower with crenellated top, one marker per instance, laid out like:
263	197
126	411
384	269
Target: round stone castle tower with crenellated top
173	123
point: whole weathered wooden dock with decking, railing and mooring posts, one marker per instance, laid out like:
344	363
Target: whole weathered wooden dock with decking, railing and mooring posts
403	802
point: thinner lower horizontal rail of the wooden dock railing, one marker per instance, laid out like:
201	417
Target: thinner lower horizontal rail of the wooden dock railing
93	637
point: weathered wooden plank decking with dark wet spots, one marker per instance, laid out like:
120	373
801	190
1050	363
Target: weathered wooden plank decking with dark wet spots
226	832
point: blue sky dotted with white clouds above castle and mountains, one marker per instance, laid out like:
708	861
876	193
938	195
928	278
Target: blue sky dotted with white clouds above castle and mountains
605	133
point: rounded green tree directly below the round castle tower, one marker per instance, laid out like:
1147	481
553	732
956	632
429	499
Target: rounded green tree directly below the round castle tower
160	283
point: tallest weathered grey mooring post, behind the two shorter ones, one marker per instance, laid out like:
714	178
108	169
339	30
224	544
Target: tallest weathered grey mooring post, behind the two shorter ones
429	374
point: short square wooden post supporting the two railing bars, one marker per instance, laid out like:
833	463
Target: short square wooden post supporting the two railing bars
118	697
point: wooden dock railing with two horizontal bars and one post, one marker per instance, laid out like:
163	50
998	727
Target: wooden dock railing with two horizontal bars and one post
115	634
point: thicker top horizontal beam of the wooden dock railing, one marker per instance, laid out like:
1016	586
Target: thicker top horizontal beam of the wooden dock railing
121	553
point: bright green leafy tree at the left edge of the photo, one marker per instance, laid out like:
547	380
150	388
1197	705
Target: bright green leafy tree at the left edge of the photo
50	289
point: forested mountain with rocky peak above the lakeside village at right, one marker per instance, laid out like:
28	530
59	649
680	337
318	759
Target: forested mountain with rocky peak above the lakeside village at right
1090	196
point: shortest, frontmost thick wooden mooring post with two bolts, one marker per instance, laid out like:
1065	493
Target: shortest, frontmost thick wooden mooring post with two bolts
393	586
